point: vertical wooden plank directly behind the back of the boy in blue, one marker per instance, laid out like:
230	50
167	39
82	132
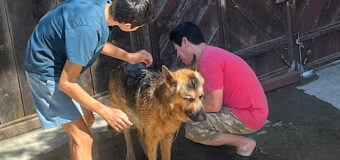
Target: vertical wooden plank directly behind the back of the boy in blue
22	18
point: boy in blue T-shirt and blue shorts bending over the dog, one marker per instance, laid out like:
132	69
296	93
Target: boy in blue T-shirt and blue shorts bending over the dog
65	42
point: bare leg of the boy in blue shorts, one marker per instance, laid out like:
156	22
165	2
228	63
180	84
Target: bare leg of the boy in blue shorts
80	140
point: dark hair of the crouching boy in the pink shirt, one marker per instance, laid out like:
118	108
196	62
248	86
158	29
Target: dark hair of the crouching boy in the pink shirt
189	30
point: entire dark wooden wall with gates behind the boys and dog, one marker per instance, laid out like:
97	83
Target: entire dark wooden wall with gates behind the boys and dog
261	32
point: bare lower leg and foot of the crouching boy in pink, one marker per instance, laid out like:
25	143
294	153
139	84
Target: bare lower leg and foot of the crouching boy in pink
244	146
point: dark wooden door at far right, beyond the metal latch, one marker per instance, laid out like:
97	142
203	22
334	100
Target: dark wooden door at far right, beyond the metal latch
318	24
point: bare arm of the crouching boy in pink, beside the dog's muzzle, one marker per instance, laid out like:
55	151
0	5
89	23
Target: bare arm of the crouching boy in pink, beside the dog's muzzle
213	101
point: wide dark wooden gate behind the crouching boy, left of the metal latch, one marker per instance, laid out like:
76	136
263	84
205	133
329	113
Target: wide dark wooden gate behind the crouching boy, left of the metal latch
254	30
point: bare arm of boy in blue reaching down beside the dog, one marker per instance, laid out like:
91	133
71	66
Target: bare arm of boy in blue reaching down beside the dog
115	117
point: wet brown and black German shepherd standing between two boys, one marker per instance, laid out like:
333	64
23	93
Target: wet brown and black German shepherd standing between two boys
157	103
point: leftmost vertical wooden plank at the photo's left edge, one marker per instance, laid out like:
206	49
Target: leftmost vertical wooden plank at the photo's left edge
10	97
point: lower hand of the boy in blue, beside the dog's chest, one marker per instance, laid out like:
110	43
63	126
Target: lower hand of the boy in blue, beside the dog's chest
116	118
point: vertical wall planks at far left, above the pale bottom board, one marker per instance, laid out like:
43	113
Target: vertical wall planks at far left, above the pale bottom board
18	21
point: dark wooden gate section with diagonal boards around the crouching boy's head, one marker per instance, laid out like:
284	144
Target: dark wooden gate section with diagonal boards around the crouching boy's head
154	37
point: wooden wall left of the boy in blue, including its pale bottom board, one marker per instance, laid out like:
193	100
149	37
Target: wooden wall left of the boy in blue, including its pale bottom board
17	21
